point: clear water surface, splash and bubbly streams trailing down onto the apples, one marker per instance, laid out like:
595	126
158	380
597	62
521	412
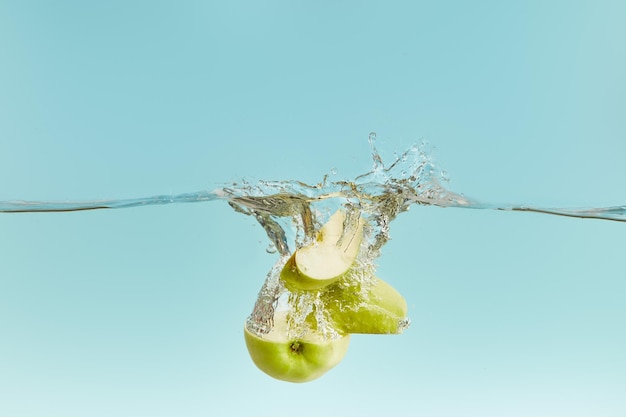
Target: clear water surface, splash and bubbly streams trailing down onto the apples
291	212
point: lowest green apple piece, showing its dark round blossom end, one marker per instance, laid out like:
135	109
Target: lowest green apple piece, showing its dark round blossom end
297	360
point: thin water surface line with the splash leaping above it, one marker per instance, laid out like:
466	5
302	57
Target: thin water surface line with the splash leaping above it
411	178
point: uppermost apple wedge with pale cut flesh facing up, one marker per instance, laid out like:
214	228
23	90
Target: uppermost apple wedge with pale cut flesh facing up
324	261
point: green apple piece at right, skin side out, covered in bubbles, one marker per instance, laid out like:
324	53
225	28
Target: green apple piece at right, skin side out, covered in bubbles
372	307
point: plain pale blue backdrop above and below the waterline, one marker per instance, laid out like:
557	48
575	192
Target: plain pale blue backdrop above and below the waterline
140	311
